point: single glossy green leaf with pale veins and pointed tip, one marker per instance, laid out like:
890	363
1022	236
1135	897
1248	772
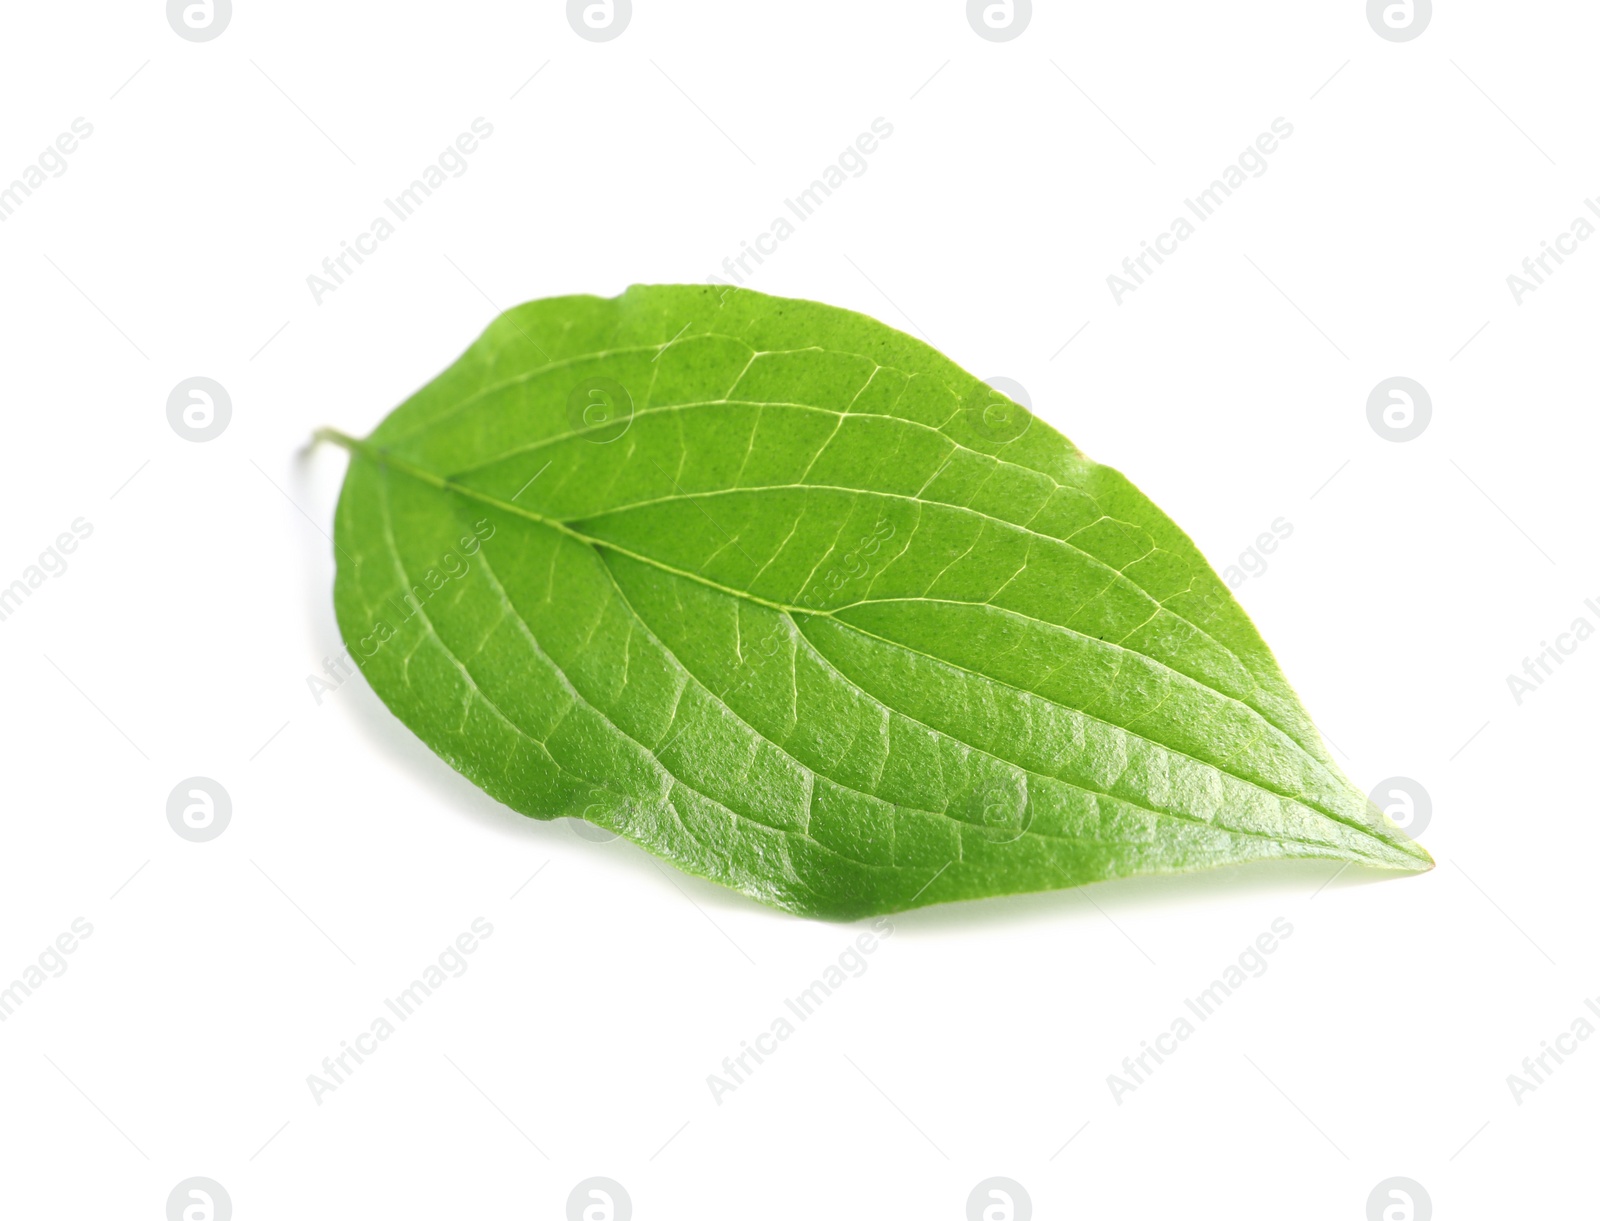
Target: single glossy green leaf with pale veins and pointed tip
799	606
